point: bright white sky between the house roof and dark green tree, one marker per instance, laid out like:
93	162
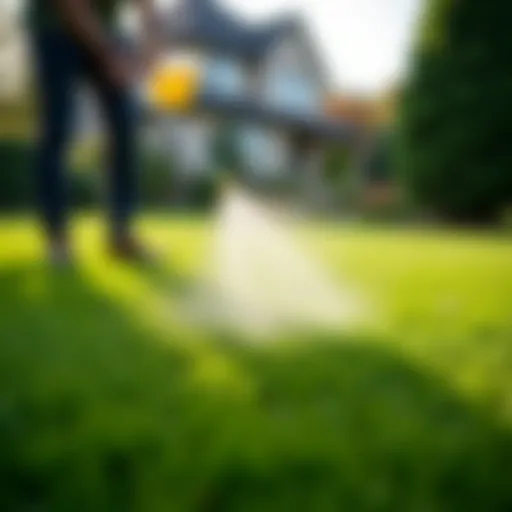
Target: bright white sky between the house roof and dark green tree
364	43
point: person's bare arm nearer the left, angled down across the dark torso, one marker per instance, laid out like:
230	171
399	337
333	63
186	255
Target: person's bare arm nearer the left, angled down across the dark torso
81	20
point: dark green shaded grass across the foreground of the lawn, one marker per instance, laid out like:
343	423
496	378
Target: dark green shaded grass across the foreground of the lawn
97	413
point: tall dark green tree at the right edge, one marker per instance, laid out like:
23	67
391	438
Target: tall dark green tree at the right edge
455	121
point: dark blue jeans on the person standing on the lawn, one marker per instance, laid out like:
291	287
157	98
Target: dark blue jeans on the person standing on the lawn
61	67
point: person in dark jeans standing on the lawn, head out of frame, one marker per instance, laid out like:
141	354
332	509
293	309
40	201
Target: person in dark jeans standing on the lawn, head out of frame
75	41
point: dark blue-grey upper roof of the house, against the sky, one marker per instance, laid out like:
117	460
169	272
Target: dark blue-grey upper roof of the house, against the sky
206	23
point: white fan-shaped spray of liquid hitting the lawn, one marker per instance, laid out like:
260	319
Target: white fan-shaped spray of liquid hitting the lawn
259	277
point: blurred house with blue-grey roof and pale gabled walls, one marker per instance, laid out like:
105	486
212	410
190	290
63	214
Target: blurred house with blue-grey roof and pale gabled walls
267	80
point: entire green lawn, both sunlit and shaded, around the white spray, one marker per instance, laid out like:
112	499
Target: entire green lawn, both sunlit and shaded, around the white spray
107	402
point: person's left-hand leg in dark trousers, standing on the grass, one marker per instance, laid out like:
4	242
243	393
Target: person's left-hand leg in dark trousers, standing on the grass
56	66
